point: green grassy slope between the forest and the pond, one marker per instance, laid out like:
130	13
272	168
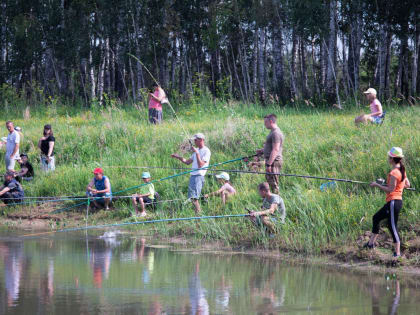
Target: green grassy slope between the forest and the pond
318	142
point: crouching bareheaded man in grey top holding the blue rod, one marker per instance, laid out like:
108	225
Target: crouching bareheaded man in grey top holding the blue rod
271	209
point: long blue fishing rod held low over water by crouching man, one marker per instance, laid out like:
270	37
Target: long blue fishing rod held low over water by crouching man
104	226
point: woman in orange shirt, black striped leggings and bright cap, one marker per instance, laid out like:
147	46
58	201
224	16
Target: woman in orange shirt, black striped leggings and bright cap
396	182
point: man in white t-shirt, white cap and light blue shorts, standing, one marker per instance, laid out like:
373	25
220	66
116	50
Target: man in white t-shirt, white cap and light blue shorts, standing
199	159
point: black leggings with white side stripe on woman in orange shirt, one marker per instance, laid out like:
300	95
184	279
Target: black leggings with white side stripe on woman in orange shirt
390	211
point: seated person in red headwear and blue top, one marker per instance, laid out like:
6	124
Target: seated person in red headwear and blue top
100	186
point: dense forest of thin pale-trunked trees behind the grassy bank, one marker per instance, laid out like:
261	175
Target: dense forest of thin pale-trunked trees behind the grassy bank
267	51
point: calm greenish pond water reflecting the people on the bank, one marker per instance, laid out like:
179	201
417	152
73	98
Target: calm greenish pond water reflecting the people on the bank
78	273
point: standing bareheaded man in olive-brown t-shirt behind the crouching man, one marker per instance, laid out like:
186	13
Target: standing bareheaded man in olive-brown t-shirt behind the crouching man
273	152
